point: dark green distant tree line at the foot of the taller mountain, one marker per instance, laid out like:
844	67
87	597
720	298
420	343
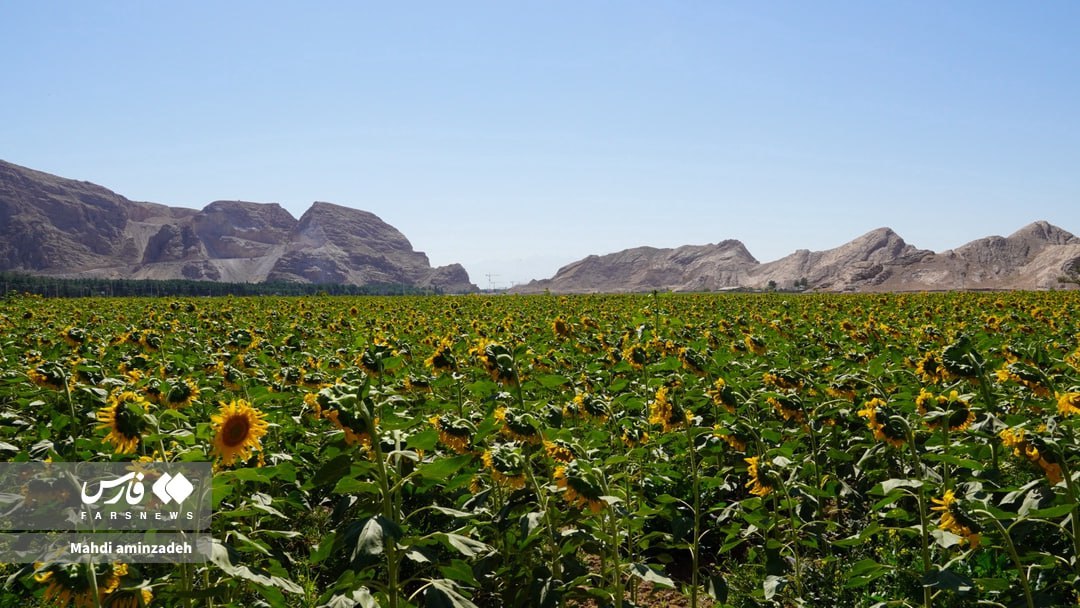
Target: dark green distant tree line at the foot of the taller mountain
13	283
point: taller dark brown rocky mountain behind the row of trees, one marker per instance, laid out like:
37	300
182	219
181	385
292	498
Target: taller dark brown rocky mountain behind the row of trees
62	227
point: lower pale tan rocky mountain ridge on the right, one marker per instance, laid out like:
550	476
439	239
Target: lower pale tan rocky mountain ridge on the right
1032	259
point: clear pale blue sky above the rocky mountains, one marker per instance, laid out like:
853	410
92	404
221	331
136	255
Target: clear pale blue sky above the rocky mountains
519	137
